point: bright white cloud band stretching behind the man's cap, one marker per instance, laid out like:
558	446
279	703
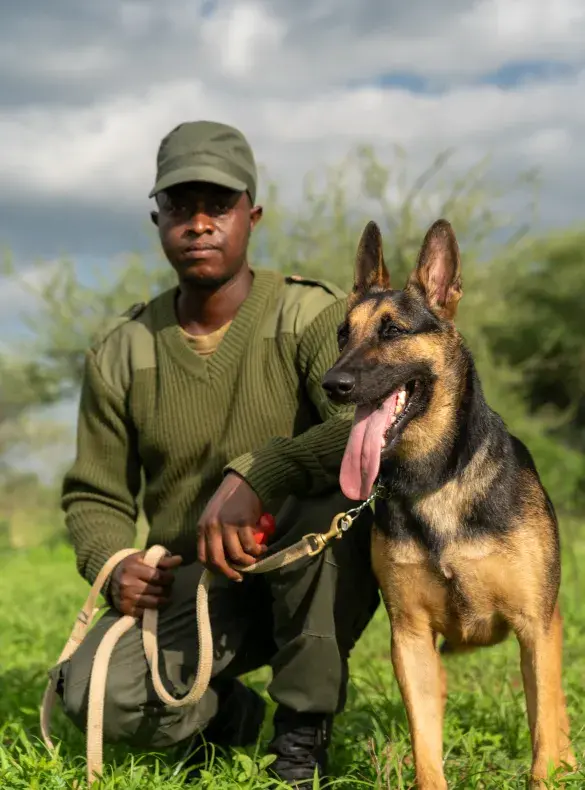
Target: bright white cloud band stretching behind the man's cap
107	151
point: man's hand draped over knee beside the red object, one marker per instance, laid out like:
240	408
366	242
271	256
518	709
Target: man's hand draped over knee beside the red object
226	528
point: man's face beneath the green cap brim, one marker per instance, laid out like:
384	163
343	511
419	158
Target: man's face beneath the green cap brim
204	230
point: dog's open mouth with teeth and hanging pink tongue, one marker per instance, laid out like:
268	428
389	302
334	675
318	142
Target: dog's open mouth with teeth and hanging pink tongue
375	431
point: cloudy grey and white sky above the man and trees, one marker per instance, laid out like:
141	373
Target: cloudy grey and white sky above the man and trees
88	89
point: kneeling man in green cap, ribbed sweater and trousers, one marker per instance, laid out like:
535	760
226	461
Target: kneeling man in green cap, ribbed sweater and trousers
211	397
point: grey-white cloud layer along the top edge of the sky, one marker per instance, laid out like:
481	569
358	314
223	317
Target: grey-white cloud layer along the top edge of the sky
286	46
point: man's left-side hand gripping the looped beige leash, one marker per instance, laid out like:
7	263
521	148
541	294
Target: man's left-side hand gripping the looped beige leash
136	586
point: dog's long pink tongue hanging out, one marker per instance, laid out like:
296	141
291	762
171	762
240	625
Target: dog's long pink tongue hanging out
361	461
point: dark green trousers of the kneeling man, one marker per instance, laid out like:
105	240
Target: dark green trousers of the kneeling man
302	620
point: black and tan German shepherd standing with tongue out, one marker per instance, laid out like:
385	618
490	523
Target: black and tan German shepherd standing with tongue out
467	543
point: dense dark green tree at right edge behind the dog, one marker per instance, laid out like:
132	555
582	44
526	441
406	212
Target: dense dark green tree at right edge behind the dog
544	331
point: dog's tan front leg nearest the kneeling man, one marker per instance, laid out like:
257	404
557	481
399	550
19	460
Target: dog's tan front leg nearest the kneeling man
418	673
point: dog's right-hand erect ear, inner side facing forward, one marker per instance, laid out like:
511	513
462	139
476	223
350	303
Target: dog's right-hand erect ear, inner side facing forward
438	270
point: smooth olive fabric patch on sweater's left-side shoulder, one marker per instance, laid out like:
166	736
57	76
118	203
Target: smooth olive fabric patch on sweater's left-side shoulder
124	345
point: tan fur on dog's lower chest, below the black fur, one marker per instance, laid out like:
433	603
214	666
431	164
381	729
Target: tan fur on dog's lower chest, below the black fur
470	593
